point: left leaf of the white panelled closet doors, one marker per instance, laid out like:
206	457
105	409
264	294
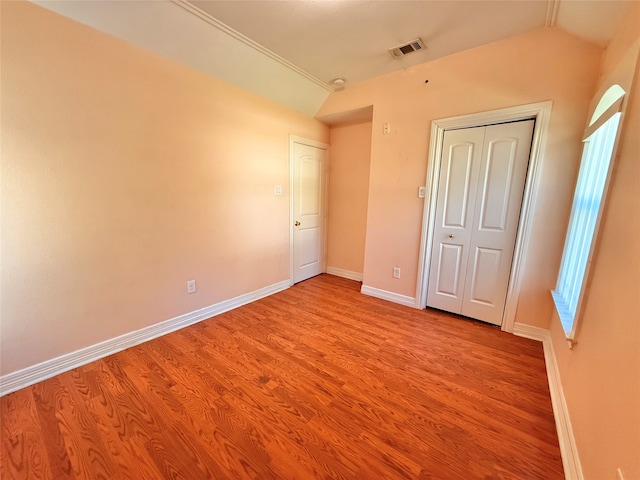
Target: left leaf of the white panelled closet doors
462	152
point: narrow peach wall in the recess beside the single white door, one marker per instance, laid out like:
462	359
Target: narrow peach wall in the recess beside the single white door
348	195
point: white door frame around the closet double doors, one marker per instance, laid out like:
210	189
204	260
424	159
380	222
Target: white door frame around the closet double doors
542	113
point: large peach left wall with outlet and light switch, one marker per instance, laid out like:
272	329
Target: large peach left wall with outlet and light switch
123	176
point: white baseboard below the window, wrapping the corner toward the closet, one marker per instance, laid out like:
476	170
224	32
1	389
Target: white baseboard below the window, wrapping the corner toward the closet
568	447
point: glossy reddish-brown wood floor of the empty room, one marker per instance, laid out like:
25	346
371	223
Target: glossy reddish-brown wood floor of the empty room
317	381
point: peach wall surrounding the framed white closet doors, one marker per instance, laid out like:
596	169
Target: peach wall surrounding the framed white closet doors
539	66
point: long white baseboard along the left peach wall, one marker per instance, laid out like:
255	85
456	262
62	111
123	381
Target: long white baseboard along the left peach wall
50	368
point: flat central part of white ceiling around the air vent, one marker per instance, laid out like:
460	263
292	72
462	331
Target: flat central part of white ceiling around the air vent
350	38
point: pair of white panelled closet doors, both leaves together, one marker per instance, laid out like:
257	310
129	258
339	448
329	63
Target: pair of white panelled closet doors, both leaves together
482	177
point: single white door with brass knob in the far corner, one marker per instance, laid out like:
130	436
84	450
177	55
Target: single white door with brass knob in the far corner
308	210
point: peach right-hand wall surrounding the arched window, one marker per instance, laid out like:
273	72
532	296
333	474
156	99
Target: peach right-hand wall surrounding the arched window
601	375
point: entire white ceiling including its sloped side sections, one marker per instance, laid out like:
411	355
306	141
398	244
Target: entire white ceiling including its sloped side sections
289	50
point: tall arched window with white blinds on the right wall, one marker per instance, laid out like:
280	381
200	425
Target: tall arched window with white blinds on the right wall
591	187
